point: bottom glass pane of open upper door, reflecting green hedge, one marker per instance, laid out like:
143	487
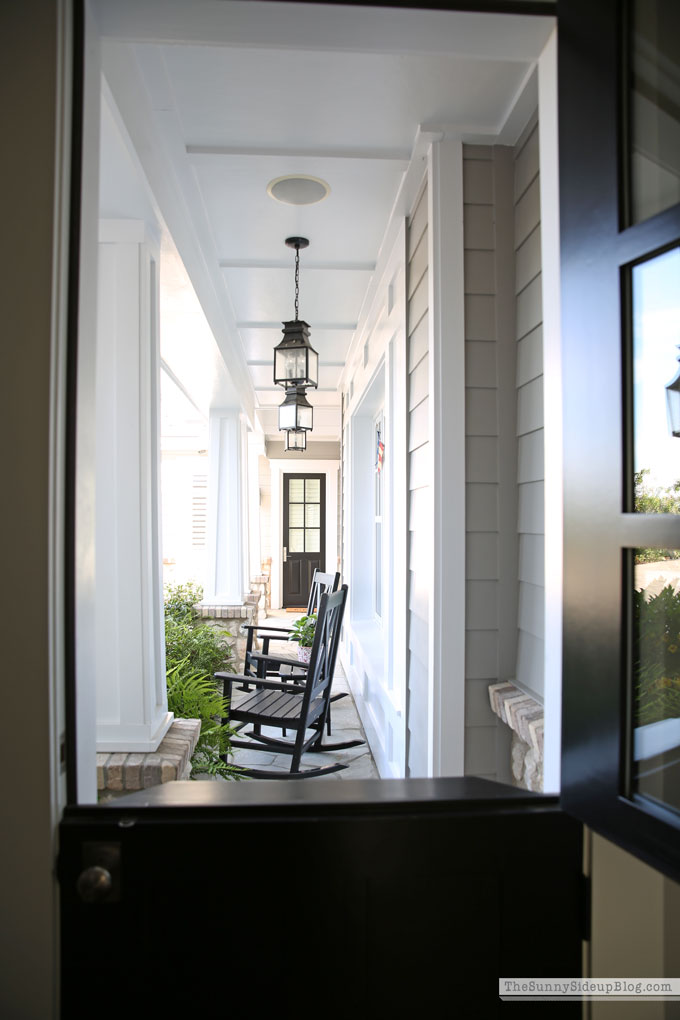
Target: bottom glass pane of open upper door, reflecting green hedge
656	745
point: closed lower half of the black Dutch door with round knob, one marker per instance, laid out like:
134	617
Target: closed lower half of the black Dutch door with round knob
353	899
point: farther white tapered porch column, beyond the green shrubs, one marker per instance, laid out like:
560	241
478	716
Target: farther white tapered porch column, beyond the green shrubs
227	552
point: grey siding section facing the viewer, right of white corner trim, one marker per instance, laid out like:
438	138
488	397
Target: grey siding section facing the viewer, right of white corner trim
491	450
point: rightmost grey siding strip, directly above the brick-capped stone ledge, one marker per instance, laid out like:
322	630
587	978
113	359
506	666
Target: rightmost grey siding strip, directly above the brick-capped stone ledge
530	673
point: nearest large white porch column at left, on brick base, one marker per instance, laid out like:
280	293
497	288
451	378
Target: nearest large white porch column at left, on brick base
132	700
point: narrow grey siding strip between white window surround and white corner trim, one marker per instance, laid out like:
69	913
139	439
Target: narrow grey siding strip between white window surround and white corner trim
420	512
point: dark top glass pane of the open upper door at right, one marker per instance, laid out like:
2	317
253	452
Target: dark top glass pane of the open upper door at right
655	107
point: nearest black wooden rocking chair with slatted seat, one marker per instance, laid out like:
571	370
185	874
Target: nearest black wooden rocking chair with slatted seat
288	706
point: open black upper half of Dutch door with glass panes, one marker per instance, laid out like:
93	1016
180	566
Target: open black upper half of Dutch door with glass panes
620	222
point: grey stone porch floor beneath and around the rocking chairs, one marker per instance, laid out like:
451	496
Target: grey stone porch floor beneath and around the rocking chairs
345	722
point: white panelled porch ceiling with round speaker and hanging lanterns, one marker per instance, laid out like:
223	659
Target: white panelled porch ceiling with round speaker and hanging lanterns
220	98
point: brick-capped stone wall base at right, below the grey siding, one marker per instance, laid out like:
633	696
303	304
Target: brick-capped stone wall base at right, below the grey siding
525	716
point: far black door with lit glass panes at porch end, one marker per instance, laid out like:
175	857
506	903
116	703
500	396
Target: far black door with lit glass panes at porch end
304	535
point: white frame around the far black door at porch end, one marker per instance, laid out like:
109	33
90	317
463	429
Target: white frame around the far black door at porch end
331	470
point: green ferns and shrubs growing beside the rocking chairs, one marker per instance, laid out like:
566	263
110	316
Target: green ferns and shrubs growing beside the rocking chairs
193	653
